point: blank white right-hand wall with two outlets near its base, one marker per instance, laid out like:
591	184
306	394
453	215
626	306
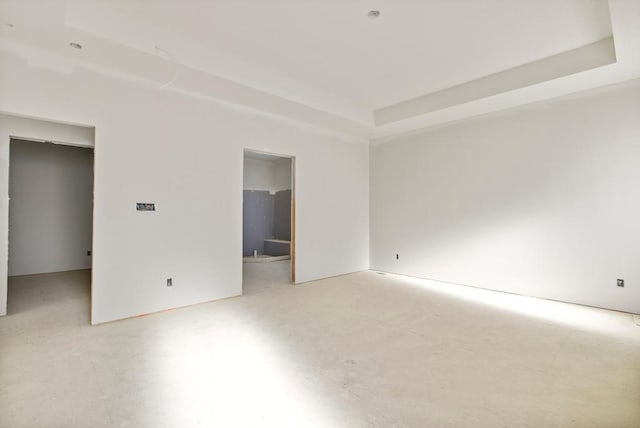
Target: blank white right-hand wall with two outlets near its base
543	201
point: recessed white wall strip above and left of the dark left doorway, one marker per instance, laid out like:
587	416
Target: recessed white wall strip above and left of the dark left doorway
22	127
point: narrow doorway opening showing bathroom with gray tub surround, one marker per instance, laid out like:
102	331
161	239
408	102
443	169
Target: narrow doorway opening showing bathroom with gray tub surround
268	221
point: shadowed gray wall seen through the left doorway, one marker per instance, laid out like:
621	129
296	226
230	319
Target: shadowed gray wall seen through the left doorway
51	207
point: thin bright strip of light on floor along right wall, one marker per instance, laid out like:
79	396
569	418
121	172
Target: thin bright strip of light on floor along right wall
586	318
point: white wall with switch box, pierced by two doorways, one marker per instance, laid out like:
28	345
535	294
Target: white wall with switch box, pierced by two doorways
186	155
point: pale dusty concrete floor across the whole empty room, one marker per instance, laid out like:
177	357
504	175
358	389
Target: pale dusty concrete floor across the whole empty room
360	350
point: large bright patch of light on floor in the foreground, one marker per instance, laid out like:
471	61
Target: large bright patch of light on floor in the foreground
237	379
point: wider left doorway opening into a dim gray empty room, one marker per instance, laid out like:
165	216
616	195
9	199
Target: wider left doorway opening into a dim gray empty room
50	227
